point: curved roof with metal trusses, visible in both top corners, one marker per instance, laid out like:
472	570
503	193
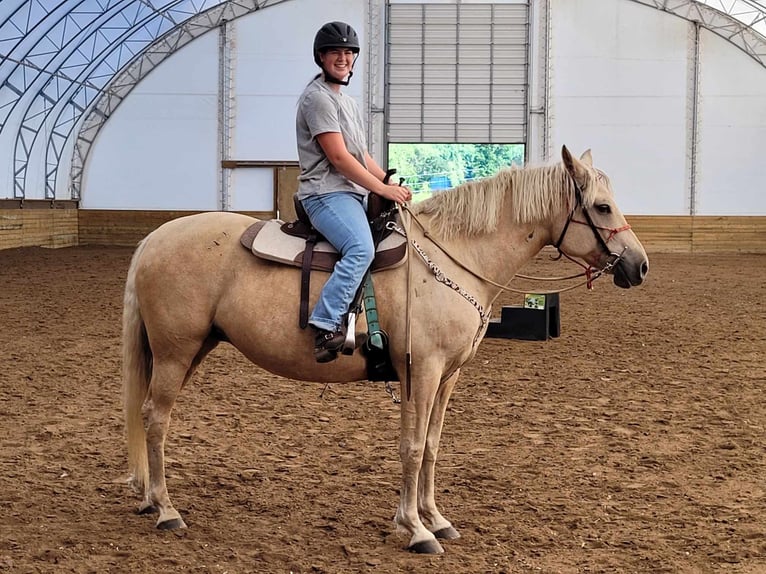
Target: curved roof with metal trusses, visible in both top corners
67	64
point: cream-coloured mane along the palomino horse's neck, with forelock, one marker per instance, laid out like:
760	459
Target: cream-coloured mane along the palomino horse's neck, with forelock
532	194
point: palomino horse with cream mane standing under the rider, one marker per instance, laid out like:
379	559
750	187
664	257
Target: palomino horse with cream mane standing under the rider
192	285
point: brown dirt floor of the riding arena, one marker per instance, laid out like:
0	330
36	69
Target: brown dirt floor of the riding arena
632	443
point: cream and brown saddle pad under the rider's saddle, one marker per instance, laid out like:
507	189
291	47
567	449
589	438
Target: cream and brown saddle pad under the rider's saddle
266	240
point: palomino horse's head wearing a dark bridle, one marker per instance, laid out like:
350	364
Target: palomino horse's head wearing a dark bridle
595	229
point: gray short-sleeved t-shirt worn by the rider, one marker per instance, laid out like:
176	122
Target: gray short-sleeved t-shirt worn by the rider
322	110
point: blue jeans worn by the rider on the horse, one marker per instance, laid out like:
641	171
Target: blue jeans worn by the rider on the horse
341	218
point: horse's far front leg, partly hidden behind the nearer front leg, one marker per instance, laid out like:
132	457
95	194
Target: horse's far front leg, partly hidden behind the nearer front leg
440	526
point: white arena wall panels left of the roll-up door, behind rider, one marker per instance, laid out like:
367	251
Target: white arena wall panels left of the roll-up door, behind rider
160	149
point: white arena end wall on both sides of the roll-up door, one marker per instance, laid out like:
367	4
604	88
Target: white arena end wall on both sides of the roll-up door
620	82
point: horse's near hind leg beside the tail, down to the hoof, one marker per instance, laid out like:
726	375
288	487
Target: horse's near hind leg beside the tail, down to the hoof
168	376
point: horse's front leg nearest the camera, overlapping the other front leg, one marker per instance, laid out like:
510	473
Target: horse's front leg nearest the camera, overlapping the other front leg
415	413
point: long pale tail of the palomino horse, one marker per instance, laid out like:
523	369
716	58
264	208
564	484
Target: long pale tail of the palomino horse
136	374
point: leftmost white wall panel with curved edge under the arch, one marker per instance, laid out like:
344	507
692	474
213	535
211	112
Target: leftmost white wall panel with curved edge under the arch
159	148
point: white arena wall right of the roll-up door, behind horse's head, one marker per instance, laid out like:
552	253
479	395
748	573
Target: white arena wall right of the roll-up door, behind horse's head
621	78
